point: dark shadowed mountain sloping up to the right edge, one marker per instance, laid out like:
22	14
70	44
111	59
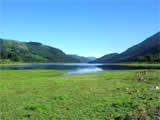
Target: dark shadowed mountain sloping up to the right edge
146	51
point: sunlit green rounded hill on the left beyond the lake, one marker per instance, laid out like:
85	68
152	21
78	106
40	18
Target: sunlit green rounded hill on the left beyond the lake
31	52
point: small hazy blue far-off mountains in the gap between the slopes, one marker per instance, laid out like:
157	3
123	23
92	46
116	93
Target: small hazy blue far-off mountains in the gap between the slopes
83	59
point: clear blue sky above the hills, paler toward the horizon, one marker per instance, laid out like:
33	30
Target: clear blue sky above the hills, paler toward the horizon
84	27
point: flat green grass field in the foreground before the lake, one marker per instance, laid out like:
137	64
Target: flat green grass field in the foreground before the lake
41	95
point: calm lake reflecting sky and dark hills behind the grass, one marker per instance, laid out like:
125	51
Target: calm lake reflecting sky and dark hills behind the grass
71	68
